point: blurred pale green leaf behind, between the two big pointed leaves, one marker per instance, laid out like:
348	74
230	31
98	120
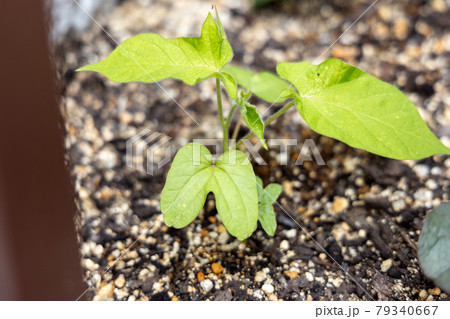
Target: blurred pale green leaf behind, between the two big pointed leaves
265	85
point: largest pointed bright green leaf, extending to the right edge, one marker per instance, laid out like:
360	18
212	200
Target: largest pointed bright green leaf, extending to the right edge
343	102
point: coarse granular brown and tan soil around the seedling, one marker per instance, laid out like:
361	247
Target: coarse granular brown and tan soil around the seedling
347	230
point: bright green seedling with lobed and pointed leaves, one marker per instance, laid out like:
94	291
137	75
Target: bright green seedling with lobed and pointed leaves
334	98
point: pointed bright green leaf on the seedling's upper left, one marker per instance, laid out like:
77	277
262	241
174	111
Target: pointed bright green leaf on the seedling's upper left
150	57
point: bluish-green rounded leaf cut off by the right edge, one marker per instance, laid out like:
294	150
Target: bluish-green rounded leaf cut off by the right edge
433	246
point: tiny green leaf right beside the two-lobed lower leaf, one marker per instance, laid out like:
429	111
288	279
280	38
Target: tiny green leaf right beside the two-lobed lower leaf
267	197
